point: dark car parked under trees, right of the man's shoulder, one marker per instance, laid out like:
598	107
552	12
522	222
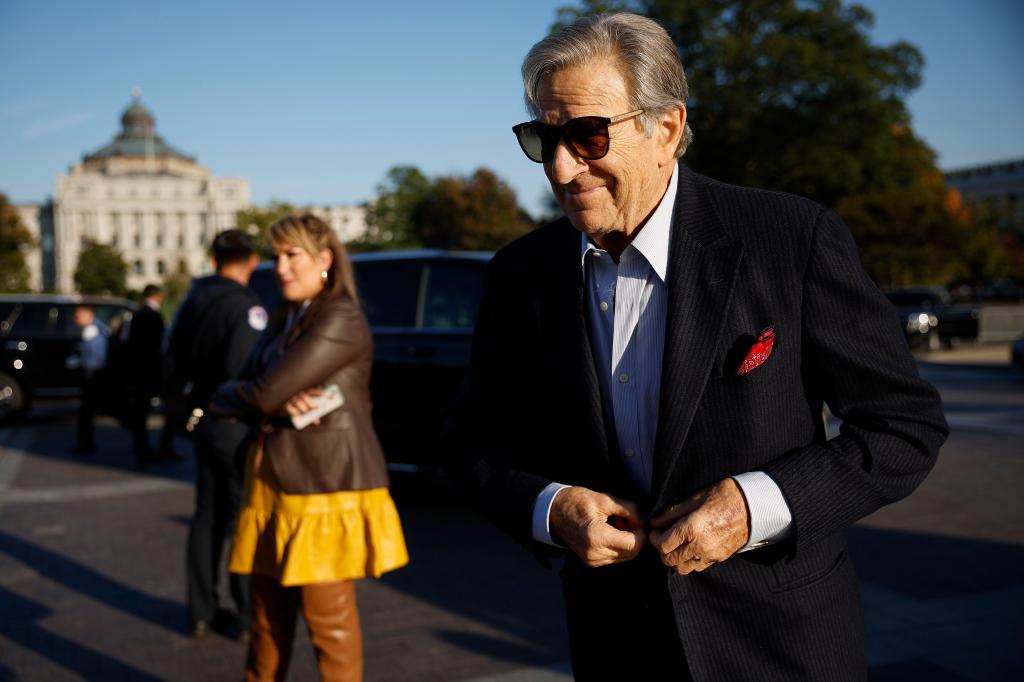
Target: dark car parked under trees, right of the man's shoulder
931	319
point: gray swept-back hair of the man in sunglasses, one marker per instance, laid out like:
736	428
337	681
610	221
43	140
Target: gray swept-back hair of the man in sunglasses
649	62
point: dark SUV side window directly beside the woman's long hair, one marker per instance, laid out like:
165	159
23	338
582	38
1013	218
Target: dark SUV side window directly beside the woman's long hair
390	291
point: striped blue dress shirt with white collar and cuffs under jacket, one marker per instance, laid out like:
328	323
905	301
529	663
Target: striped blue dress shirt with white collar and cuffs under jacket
626	312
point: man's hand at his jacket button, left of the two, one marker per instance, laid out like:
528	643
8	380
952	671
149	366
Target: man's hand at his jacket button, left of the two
599	528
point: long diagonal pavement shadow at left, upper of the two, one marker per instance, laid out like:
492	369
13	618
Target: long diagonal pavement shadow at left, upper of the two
90	583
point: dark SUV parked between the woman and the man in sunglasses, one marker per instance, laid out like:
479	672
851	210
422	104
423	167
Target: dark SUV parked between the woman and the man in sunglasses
422	308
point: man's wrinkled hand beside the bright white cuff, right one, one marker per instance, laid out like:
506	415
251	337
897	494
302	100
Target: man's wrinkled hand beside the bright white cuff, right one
708	529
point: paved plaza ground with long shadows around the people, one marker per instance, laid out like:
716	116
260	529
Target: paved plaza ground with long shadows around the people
92	568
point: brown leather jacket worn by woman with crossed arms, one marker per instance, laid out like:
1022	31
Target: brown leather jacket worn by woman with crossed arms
335	348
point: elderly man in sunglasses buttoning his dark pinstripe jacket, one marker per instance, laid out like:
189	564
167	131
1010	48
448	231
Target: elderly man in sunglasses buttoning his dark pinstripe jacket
648	382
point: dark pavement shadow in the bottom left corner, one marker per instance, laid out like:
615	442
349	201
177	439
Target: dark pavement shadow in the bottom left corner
25	631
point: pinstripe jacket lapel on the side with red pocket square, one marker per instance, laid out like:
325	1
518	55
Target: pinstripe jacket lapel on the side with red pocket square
703	268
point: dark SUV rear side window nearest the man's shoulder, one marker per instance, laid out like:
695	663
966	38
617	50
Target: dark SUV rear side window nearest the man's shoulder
454	290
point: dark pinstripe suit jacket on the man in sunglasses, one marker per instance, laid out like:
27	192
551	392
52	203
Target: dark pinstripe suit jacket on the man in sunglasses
740	261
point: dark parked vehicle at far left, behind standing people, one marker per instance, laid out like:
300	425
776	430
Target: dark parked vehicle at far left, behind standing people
40	347
